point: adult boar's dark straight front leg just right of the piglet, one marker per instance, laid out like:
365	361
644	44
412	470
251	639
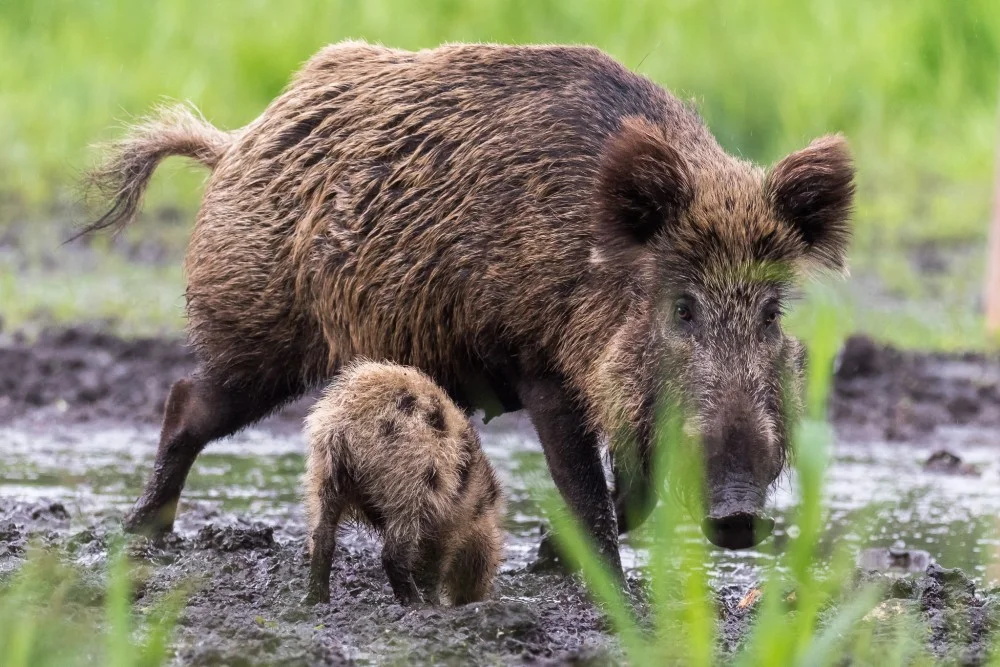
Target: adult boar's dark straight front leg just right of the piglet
573	455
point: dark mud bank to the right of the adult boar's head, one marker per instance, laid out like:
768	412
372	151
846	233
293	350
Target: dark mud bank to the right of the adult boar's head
885	393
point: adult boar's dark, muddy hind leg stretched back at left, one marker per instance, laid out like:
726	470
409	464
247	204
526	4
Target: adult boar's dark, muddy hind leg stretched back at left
199	410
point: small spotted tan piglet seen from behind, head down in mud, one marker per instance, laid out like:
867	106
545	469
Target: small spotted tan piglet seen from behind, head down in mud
388	448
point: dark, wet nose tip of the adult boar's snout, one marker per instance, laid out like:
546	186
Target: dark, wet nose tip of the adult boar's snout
736	519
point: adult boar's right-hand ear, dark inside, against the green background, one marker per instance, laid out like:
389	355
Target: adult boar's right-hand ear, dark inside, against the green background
812	190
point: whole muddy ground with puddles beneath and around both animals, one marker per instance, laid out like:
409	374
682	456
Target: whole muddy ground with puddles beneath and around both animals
83	401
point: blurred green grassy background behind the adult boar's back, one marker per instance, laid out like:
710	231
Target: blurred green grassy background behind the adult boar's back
912	83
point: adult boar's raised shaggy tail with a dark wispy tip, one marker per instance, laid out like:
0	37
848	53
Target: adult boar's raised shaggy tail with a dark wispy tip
125	173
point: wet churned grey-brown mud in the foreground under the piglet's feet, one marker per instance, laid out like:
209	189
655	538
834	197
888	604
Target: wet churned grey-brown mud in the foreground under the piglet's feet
247	579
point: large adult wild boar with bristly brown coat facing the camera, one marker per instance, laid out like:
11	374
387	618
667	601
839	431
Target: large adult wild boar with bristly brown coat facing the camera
533	225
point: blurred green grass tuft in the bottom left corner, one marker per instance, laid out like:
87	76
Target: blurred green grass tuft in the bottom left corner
55	614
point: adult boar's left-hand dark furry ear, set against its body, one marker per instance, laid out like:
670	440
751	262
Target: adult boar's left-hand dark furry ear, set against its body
643	184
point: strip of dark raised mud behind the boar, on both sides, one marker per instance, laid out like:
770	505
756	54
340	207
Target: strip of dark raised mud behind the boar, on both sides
83	373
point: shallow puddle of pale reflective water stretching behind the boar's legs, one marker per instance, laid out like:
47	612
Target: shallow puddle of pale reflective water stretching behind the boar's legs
877	493
